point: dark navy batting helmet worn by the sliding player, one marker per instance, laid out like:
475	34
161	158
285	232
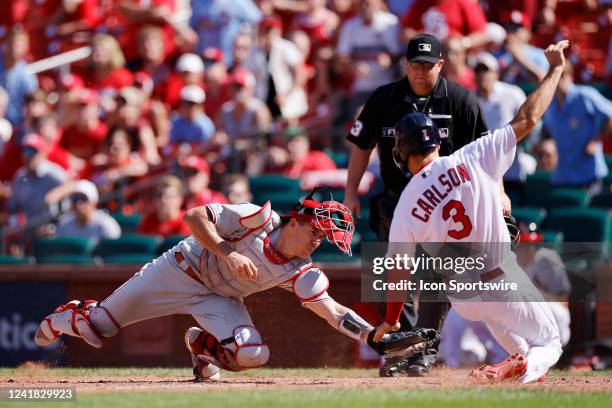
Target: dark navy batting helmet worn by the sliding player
414	133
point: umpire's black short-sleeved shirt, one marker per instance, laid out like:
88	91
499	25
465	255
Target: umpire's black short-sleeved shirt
453	109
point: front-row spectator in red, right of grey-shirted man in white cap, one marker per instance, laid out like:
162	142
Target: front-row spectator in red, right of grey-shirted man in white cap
166	218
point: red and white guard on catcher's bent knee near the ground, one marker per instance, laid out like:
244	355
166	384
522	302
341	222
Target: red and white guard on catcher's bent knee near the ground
242	351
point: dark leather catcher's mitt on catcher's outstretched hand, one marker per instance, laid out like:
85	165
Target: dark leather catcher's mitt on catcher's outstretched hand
402	345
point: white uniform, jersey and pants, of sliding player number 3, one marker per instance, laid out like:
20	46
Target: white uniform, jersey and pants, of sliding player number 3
457	198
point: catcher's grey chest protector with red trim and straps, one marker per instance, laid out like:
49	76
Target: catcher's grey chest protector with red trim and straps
223	281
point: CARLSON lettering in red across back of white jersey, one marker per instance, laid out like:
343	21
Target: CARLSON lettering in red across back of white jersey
437	193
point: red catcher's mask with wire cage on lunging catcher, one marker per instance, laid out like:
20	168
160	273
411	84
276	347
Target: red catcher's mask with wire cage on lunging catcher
331	217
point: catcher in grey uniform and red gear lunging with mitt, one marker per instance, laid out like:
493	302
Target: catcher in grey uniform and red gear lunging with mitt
235	250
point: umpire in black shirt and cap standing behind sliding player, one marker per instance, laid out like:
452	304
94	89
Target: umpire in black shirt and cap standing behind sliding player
455	111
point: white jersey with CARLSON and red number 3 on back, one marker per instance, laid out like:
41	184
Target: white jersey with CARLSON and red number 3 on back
457	198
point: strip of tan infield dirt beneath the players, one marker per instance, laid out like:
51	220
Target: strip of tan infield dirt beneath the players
35	376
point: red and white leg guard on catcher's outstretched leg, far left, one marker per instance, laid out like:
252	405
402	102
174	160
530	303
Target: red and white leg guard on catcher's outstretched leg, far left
71	319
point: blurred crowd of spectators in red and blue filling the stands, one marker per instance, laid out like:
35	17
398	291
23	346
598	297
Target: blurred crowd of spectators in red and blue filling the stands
178	102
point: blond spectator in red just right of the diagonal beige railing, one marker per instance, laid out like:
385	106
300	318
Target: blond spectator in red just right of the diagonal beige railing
106	66
